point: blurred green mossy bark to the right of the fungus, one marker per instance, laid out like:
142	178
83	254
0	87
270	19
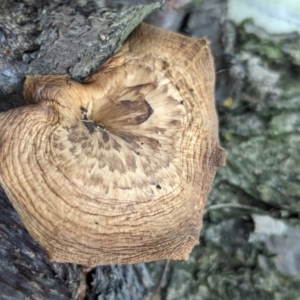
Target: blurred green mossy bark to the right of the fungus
261	133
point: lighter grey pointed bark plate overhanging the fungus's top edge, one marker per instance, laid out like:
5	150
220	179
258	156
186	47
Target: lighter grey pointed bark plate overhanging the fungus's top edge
85	39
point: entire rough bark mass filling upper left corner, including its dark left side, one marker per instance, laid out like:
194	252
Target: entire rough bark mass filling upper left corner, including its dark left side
83	33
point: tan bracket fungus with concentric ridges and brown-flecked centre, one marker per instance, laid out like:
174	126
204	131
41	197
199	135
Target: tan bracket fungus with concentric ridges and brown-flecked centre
117	169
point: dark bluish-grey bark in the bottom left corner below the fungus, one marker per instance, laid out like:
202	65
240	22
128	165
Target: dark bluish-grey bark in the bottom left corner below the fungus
25	270
